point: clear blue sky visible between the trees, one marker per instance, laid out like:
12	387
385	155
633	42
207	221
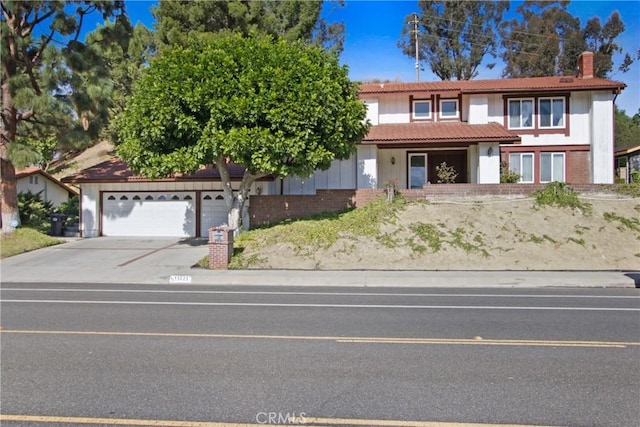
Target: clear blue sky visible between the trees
373	29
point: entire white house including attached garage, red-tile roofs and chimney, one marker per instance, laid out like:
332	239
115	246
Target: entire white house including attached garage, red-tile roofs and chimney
546	129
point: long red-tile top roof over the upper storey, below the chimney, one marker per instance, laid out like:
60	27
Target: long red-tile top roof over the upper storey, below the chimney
529	84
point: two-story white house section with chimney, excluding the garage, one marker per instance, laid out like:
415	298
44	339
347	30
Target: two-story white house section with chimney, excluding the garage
544	128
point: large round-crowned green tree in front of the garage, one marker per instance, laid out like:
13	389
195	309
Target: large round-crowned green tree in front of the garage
277	108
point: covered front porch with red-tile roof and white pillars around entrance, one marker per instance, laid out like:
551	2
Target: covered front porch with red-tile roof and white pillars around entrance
408	154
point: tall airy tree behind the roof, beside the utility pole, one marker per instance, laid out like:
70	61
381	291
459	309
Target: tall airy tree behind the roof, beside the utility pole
454	37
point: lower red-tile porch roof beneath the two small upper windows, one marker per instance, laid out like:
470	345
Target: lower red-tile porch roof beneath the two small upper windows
438	133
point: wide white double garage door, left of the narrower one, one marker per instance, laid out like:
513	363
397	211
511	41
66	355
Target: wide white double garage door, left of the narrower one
149	214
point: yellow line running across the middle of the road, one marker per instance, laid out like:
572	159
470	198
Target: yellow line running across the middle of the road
344	340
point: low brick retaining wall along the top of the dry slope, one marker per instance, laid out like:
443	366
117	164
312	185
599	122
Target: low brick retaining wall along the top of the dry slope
270	209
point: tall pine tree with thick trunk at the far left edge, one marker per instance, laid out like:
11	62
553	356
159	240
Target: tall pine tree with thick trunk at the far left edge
54	85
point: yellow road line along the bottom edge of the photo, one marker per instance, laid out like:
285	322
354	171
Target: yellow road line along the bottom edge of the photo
292	420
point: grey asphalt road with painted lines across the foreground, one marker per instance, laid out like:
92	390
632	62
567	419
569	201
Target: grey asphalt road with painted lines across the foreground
86	353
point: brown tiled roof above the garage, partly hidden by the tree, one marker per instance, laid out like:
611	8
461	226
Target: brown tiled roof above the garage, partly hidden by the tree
116	170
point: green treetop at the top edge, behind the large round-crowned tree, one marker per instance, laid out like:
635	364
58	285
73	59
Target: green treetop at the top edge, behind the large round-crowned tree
181	22
